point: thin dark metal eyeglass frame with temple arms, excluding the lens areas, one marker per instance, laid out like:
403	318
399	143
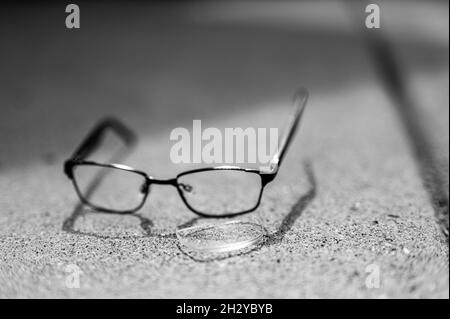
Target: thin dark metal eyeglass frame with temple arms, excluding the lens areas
94	138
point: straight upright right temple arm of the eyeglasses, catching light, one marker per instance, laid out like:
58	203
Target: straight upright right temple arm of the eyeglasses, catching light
300	99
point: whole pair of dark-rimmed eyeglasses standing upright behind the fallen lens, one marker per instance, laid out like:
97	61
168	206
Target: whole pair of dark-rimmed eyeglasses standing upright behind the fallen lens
221	191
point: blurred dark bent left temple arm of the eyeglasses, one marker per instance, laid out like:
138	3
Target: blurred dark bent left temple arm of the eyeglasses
92	141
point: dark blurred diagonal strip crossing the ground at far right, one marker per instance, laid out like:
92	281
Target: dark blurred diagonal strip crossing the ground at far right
412	120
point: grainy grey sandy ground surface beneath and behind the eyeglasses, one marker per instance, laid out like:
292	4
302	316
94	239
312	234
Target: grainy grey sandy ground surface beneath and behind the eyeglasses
349	198
